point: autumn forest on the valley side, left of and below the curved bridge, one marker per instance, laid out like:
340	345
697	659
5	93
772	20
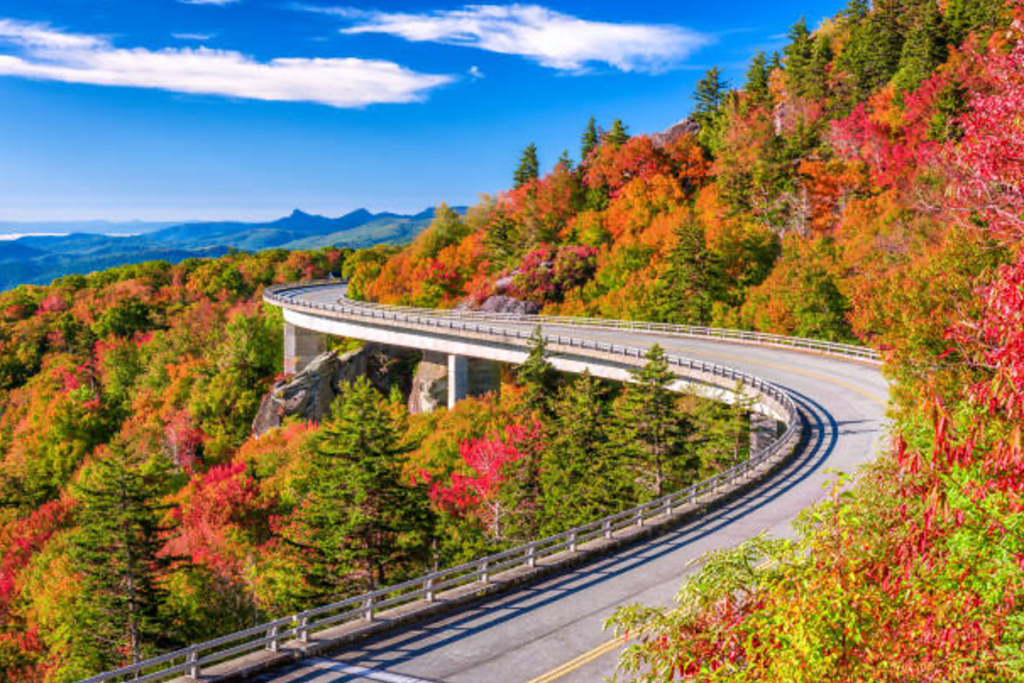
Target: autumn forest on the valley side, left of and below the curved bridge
140	515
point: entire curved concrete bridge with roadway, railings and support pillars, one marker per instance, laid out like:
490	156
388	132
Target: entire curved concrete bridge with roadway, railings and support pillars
467	624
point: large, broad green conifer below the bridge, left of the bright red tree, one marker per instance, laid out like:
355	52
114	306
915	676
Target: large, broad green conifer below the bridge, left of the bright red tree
360	525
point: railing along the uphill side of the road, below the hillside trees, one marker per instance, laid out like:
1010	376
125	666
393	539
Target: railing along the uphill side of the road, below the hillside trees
744	336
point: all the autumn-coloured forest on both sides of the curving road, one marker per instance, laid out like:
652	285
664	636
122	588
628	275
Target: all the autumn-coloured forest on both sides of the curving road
867	184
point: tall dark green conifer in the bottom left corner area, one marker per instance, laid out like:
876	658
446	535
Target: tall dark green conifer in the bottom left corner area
117	552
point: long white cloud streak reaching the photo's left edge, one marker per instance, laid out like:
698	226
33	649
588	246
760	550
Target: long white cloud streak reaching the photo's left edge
38	52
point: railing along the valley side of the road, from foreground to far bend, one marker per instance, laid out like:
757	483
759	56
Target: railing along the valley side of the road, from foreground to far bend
298	628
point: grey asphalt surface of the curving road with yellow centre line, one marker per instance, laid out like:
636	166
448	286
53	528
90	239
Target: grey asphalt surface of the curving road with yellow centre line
552	631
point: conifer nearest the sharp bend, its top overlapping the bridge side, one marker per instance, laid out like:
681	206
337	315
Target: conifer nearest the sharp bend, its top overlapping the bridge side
650	431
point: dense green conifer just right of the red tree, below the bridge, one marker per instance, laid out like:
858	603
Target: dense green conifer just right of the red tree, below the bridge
582	479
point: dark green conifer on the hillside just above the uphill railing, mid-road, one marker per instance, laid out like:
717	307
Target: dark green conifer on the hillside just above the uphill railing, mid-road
691	281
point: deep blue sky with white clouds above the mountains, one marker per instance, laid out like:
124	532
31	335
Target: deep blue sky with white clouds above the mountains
169	110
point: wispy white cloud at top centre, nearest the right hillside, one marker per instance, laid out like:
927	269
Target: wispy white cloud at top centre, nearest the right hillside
550	38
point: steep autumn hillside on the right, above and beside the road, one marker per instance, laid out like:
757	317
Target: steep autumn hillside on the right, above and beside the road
866	184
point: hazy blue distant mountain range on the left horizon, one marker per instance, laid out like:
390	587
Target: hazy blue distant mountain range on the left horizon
44	253
